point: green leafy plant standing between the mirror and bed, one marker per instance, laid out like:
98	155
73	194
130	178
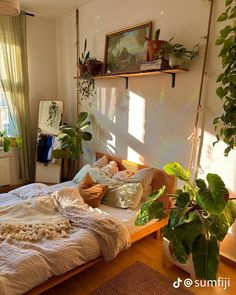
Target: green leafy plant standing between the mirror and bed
71	138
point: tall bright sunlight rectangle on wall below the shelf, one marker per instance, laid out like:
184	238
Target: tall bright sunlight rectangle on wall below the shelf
136	125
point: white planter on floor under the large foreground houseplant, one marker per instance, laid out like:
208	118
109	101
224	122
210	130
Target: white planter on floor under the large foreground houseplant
168	257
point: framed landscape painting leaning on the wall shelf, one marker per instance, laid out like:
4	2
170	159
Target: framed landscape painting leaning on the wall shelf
126	50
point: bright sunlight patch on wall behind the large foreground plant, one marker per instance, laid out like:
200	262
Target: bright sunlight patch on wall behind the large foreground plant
214	161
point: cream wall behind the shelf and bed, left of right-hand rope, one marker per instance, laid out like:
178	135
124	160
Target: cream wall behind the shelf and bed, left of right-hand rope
128	120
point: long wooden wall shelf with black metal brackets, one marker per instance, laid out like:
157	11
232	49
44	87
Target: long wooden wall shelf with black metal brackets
170	71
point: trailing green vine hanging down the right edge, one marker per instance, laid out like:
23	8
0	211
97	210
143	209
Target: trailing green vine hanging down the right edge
226	123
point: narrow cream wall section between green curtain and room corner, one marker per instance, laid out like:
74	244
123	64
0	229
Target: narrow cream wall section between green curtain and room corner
42	64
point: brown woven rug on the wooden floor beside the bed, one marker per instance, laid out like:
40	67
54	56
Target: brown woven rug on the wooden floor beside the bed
139	279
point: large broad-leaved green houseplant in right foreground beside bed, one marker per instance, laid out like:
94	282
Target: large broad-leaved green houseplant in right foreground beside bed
198	221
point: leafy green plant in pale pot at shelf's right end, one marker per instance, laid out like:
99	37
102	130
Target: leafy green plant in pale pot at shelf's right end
177	53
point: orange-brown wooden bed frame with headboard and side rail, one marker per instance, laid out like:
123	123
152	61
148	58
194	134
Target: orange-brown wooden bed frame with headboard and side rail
160	178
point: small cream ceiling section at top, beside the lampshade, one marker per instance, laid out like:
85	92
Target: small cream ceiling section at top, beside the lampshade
50	8
